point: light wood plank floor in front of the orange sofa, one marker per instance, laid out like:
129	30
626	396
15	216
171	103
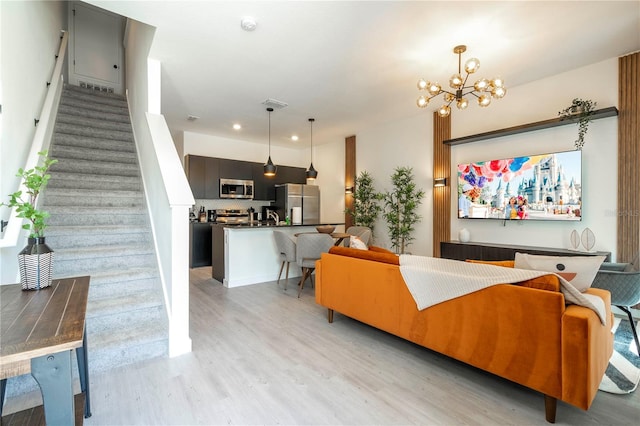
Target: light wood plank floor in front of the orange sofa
263	356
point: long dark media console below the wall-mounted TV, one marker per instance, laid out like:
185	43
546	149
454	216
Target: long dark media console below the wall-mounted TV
488	251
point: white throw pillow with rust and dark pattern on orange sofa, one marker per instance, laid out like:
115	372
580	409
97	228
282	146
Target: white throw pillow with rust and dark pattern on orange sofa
578	270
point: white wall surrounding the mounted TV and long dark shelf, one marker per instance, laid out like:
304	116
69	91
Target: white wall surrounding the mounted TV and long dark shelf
538	101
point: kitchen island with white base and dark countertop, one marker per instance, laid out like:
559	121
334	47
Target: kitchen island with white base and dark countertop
247	254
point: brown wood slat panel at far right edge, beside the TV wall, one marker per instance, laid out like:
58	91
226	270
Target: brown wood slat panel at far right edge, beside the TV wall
628	245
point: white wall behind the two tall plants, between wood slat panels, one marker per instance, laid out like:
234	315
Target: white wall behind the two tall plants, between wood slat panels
406	143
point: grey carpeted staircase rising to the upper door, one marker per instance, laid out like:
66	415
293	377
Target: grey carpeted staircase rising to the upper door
99	226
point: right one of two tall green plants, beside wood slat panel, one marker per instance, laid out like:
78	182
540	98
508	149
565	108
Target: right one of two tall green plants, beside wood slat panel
400	208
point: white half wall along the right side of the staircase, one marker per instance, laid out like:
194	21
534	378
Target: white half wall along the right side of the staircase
166	188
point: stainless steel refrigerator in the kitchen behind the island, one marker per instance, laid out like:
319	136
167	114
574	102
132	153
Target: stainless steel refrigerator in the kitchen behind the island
290	195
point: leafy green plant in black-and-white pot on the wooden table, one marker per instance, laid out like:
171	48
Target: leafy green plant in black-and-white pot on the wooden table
36	259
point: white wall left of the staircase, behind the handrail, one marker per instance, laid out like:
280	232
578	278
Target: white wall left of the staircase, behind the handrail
29	41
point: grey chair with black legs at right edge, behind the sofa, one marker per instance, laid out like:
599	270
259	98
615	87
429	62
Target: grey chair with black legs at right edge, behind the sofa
624	285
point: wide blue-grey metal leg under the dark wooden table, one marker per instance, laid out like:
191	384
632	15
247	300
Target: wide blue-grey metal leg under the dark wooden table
53	374
